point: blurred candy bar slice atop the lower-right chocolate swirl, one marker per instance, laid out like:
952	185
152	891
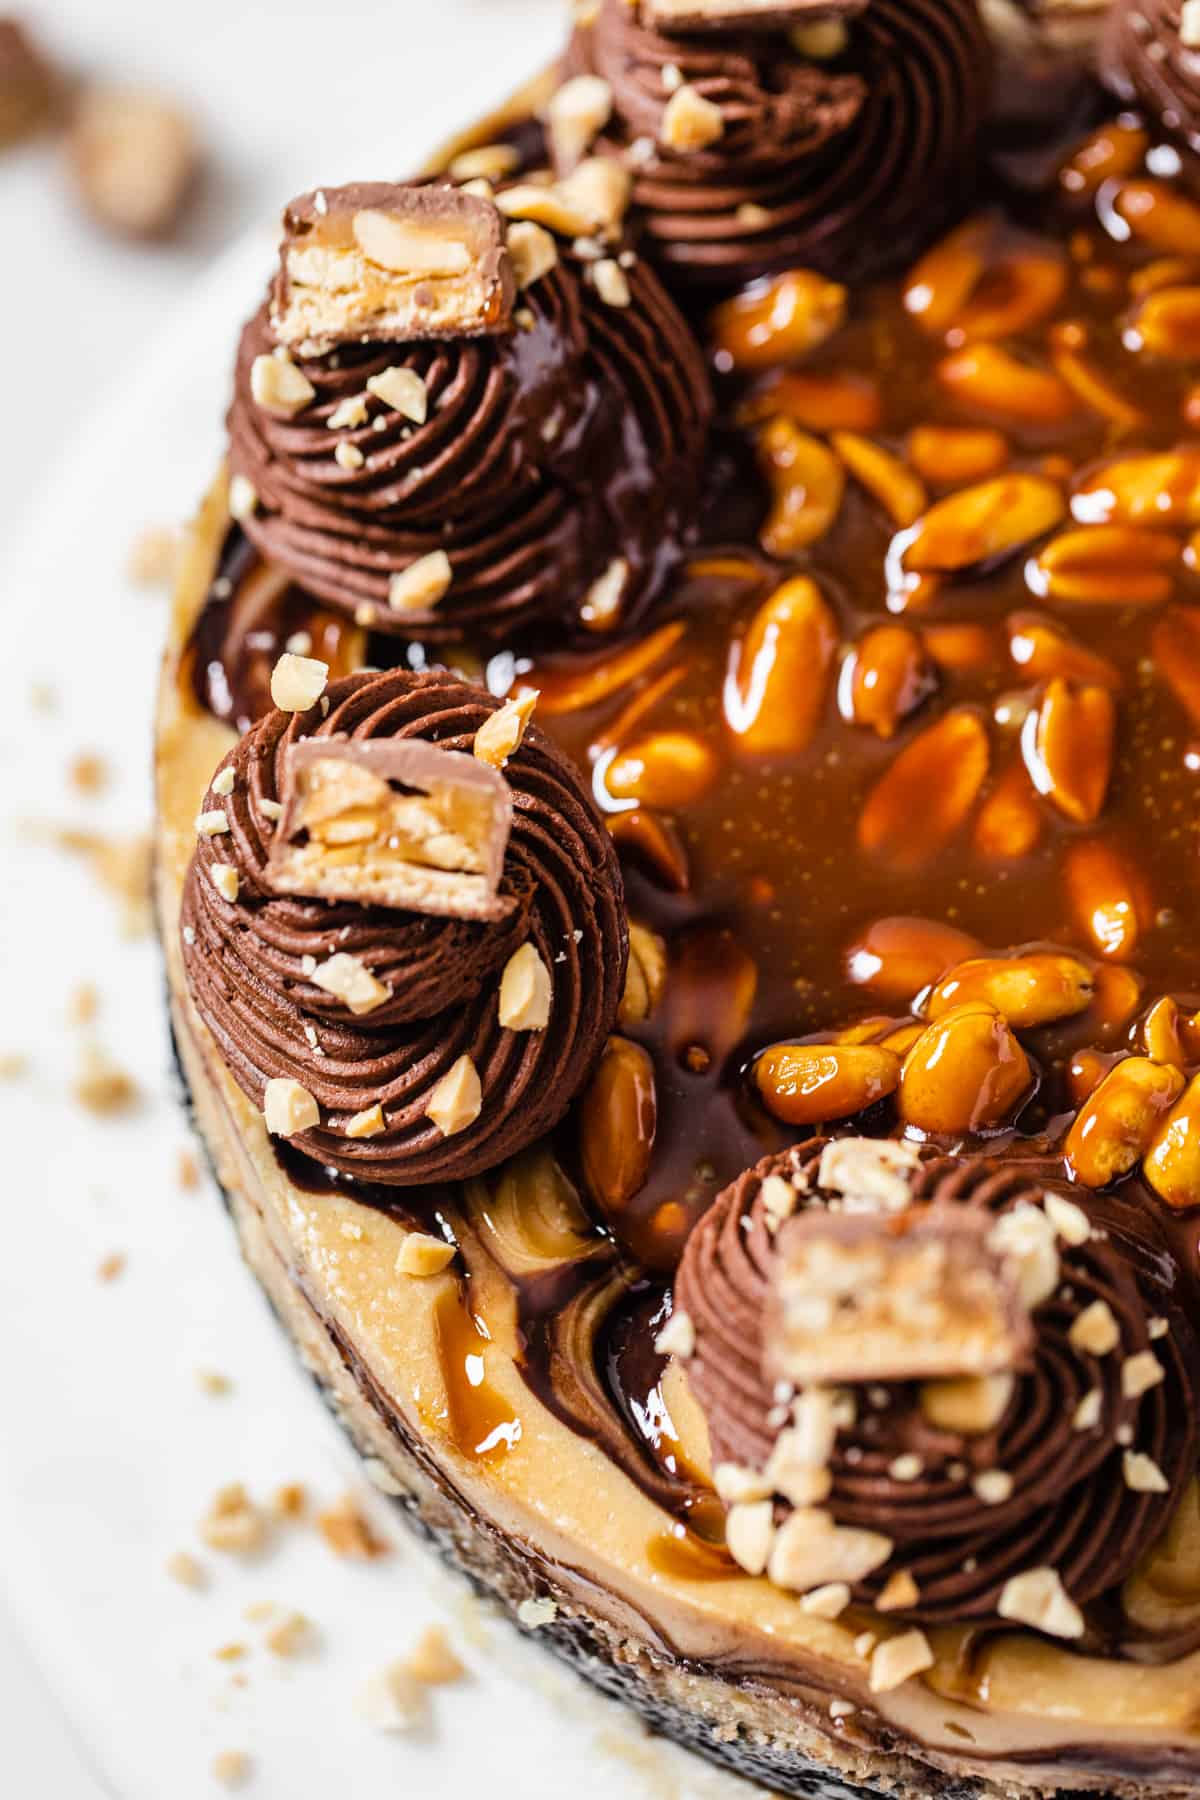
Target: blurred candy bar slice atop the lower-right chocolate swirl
891	1297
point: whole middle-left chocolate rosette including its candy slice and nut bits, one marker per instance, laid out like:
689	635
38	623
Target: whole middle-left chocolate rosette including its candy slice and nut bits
404	926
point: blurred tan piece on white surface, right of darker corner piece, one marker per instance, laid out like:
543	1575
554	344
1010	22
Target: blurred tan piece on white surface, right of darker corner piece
134	159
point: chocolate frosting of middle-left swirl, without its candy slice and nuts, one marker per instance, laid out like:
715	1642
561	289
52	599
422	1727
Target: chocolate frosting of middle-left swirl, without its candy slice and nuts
251	962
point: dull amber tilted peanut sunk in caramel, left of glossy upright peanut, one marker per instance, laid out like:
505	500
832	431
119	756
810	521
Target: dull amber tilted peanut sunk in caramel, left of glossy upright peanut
927	793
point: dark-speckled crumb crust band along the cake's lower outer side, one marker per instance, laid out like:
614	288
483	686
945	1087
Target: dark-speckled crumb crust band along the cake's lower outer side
737	1722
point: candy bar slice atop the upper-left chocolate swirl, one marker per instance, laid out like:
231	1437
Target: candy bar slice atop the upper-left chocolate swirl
391	262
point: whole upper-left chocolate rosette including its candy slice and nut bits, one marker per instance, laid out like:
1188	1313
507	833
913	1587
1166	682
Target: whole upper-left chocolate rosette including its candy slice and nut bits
443	463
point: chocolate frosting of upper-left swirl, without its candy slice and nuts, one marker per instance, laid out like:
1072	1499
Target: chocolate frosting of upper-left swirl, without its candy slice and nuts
546	454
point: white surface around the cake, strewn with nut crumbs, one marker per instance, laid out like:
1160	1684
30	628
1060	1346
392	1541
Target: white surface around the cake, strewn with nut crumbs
287	98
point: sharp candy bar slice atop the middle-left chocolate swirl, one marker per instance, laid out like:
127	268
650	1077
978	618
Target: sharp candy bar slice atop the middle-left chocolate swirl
397	823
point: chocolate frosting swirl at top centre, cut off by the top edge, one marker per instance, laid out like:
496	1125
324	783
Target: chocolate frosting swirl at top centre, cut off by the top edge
843	165
